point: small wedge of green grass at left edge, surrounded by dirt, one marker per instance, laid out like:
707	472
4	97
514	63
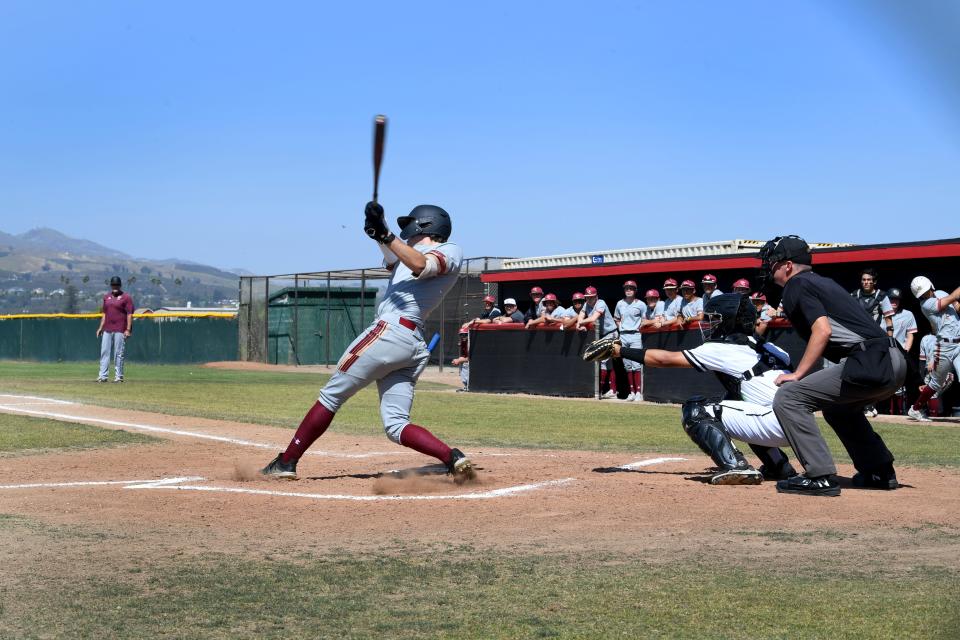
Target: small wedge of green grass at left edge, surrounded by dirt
24	434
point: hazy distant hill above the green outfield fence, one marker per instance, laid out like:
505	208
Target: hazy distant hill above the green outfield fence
39	267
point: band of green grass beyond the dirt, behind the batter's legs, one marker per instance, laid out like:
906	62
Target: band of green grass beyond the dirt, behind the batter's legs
276	398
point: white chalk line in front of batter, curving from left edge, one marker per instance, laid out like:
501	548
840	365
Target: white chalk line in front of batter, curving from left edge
179	484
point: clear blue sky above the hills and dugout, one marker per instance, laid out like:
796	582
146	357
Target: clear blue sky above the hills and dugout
238	134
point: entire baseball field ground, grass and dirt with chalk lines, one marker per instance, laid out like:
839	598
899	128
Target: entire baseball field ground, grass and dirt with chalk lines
135	510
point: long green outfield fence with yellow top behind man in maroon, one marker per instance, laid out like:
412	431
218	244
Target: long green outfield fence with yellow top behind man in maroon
168	338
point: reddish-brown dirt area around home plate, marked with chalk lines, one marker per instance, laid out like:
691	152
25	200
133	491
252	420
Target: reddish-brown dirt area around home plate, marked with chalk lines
200	483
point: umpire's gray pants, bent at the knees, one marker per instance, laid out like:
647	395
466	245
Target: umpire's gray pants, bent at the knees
842	406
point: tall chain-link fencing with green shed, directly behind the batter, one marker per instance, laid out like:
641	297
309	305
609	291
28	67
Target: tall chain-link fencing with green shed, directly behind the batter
311	318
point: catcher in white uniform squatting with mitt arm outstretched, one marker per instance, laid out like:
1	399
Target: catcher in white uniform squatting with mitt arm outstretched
747	365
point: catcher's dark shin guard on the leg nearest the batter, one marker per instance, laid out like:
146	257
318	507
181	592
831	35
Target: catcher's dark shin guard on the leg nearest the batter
708	433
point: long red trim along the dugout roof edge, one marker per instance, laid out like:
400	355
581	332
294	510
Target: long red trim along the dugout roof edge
831	256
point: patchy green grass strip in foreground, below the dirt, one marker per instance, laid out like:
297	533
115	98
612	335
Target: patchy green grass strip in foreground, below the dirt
466	593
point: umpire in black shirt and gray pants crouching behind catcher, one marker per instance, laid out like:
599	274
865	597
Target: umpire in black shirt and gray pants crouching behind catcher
835	326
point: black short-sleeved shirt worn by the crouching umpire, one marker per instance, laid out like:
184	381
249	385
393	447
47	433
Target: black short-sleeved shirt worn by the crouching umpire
808	296
